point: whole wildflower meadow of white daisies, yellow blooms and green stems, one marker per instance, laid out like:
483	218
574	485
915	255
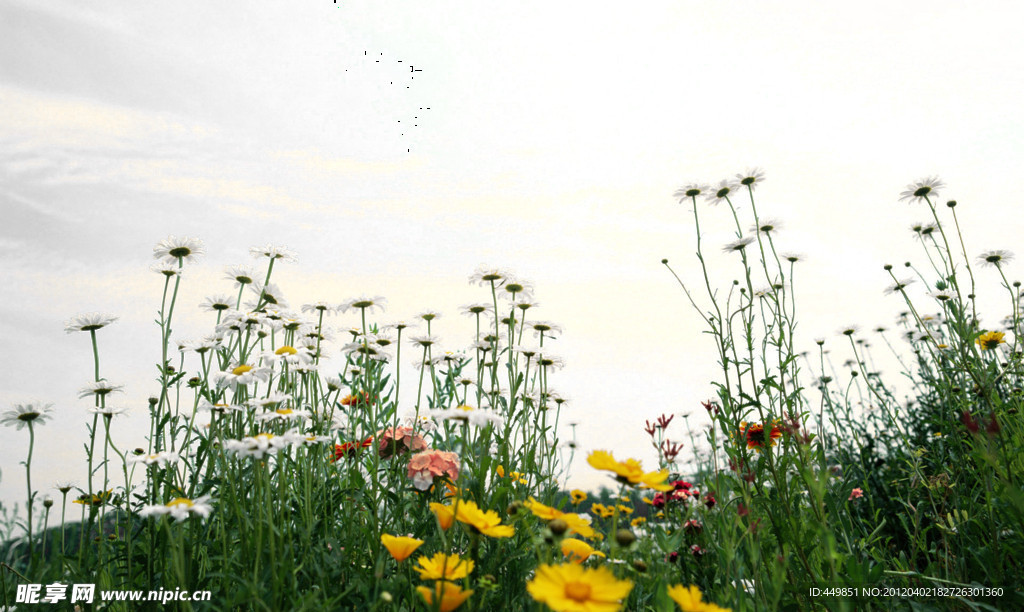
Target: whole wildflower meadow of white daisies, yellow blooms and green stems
419	478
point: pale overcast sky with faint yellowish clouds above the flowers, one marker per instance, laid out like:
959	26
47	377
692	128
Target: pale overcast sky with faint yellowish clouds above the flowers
398	147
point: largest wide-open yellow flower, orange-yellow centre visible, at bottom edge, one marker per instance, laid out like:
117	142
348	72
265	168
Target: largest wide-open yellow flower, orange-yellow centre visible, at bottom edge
570	588
